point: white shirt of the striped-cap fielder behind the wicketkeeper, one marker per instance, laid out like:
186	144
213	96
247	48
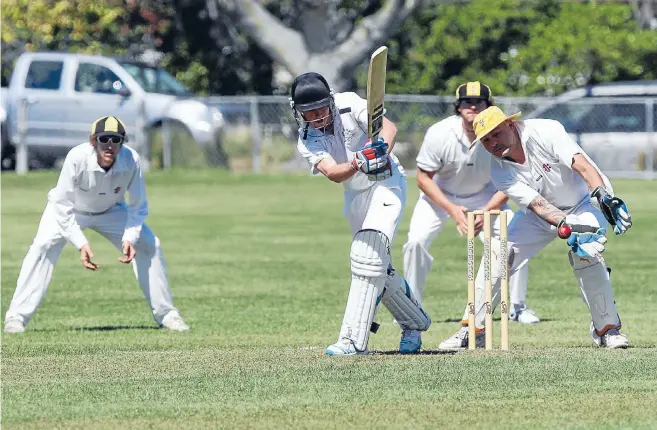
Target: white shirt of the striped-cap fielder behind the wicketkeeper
460	171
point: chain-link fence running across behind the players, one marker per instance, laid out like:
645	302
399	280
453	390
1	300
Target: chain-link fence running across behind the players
259	133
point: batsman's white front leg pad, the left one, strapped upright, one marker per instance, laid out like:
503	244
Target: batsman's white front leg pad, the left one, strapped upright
370	257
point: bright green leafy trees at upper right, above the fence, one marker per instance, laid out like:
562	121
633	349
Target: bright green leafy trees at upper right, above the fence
542	47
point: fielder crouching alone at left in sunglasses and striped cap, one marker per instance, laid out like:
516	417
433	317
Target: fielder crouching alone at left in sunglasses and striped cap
90	193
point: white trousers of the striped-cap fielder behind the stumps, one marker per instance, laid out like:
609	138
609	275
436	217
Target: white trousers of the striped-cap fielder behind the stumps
427	221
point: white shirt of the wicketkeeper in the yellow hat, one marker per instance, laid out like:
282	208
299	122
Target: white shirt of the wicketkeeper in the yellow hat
547	170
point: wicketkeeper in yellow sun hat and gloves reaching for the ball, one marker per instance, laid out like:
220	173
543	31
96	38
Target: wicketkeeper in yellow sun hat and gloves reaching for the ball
553	182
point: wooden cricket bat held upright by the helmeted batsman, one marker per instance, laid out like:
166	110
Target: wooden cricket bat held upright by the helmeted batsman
376	90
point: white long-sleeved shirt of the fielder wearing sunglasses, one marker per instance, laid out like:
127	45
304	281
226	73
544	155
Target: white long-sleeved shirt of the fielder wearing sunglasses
85	188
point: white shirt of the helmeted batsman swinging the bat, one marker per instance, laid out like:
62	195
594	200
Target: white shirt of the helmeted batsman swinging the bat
349	136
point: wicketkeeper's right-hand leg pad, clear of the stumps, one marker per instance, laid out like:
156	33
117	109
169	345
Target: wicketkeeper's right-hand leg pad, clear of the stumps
597	294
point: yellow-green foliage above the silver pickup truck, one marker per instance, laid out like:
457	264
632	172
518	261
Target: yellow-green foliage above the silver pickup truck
111	27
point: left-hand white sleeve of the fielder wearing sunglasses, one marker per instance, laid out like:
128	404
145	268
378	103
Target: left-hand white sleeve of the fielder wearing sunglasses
62	198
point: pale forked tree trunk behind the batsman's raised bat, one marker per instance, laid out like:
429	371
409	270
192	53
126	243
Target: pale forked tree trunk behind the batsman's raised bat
320	35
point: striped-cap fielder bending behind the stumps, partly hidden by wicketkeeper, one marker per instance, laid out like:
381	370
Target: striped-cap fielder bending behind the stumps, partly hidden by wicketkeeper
454	178
